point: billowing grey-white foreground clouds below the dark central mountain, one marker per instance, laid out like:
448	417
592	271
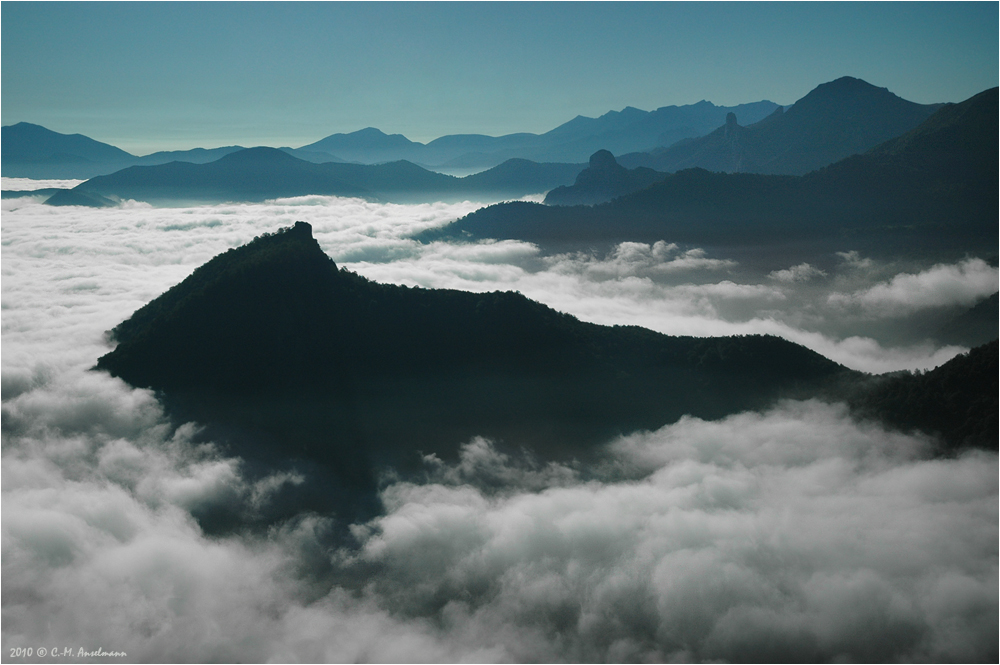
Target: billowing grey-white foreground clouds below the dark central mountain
796	534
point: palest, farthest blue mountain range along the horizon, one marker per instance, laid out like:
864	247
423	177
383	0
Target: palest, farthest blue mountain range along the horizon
32	151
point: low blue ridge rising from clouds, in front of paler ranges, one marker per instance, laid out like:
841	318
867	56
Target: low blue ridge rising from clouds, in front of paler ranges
257	174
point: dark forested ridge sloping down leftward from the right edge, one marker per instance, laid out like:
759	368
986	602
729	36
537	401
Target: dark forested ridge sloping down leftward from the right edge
932	189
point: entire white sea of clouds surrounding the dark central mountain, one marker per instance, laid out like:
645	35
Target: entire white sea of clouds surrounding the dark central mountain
794	534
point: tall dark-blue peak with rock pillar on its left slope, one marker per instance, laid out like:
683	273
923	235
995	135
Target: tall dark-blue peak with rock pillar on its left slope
835	120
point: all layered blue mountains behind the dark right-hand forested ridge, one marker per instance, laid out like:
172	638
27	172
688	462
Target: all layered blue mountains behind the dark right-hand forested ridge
837	119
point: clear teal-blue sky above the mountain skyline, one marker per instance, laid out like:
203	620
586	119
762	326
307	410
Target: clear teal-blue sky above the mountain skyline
150	76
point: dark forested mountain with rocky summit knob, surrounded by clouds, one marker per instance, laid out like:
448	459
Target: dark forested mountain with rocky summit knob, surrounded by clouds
289	358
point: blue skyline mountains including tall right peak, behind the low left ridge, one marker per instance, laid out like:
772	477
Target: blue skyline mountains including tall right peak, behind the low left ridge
836	119
